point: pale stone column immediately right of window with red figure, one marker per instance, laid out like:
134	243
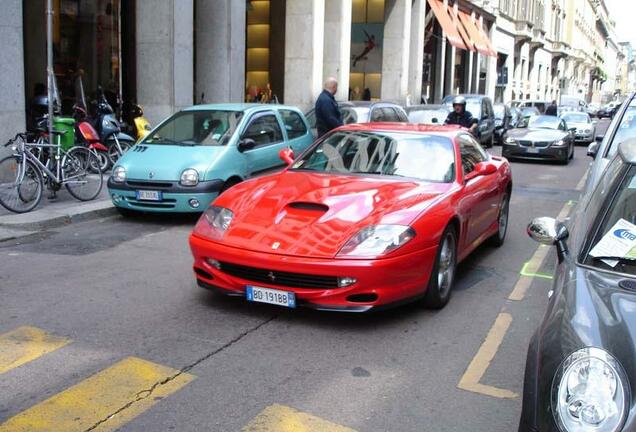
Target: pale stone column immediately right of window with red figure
395	49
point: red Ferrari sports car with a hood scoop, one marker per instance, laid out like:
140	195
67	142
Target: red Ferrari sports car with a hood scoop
370	216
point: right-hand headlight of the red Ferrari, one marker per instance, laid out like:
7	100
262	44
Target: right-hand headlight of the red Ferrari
377	240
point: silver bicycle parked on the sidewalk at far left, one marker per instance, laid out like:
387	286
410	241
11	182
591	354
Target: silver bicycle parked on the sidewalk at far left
34	164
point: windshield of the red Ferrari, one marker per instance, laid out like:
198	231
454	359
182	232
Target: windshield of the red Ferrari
423	157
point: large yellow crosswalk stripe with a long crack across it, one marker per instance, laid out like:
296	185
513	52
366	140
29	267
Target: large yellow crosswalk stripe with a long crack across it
103	402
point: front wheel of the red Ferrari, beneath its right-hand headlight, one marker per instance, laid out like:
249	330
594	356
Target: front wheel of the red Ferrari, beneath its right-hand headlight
440	284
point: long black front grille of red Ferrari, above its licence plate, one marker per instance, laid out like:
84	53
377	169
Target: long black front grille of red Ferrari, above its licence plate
279	278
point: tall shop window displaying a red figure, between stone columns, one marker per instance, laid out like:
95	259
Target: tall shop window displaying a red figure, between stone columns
367	34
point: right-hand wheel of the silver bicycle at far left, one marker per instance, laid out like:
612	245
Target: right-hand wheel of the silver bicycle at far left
79	174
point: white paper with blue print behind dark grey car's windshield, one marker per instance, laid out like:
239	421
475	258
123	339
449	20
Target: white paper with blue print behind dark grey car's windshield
619	242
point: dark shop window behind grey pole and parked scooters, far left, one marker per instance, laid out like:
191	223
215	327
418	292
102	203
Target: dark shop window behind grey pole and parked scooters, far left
87	38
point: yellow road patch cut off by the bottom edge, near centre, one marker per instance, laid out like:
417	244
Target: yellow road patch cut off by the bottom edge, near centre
280	418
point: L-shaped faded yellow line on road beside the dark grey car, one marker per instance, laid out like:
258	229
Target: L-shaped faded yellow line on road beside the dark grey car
479	365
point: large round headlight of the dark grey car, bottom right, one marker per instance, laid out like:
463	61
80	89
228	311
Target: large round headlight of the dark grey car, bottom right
590	392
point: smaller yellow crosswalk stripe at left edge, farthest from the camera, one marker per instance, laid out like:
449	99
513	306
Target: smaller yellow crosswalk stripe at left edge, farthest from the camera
26	344
